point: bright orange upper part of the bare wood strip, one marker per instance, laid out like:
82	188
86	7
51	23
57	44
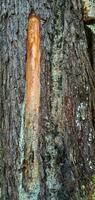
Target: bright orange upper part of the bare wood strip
33	65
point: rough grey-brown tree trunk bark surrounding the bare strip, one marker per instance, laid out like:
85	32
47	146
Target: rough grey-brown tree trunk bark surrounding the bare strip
66	142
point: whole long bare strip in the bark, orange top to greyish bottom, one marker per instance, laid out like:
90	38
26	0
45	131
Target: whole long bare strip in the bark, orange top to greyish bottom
32	101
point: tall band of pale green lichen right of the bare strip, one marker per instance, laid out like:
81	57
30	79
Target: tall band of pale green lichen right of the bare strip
54	130
